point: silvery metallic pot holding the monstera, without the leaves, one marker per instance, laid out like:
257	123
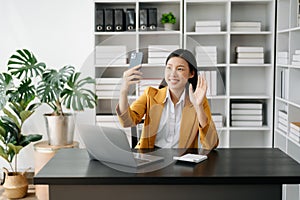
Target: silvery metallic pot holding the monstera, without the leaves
60	129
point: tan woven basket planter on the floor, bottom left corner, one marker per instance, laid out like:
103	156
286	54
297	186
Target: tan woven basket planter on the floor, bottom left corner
15	184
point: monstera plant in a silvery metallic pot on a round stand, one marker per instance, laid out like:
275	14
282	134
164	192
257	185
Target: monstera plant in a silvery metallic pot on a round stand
59	88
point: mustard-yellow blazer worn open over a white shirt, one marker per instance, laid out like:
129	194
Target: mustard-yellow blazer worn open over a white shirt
151	104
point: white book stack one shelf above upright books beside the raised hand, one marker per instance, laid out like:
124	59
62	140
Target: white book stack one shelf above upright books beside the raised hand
206	55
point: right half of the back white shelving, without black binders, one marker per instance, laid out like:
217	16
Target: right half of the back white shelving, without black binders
237	82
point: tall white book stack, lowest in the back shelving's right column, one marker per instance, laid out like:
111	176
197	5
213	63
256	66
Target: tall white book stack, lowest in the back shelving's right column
246	114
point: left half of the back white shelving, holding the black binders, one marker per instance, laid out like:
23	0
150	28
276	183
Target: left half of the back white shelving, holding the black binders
136	40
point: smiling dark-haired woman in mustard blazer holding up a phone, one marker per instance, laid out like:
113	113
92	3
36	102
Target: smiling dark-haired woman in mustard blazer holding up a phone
177	113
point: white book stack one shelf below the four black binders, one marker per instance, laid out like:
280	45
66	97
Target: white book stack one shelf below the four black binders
110	55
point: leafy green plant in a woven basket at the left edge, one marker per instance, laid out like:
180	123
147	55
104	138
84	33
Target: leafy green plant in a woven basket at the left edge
17	104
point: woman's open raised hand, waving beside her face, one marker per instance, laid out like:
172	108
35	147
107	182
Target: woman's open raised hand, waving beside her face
197	96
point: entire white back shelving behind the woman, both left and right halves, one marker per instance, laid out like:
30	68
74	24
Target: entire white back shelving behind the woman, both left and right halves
234	82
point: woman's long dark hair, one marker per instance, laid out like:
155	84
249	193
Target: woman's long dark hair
190	59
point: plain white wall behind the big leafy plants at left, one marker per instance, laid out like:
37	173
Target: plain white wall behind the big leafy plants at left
58	33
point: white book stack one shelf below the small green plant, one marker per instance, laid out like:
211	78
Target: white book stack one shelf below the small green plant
157	54
